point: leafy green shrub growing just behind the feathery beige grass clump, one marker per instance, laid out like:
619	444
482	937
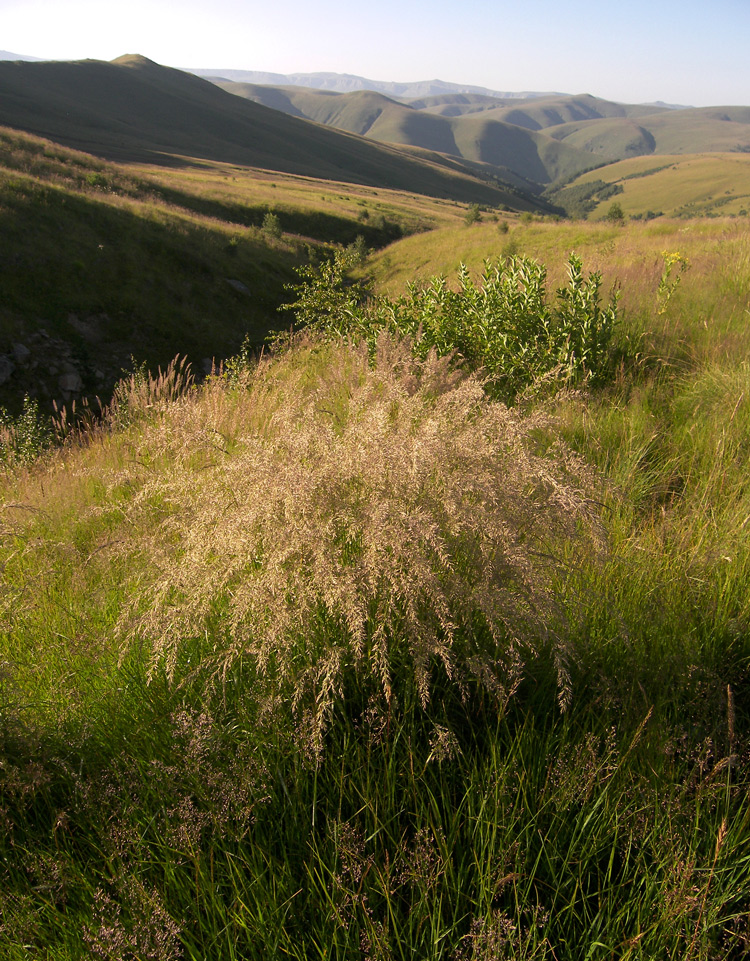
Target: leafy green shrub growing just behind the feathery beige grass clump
506	324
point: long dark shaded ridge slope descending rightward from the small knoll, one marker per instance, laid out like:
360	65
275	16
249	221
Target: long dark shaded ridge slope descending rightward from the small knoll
132	109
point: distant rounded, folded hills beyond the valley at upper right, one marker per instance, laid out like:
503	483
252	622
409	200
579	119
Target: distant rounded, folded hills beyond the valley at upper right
515	136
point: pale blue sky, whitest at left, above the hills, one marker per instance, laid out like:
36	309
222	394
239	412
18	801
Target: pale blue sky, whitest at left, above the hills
690	52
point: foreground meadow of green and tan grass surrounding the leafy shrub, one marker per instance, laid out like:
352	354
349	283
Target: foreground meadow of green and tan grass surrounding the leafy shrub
335	655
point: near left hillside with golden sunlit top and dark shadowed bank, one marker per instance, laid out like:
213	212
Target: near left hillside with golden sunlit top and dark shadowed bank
101	261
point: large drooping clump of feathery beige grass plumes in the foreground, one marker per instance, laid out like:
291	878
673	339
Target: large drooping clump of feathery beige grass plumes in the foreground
359	522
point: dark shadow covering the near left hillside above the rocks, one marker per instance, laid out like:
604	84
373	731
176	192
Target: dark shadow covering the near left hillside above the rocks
97	284
